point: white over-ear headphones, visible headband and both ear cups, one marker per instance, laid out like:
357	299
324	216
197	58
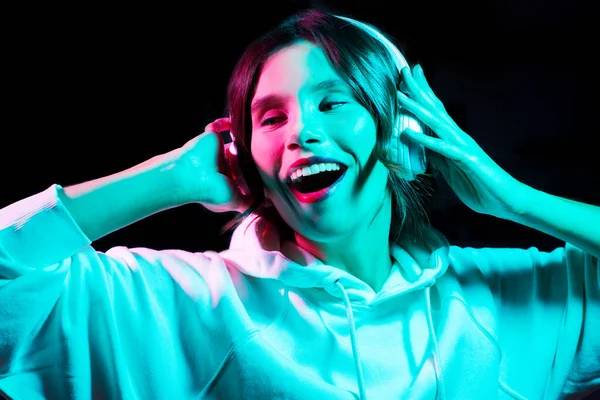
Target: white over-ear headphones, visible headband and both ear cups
409	155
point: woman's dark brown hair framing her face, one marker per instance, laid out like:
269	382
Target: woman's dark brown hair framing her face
368	68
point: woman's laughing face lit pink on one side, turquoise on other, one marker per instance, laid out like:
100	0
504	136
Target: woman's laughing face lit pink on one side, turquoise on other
302	108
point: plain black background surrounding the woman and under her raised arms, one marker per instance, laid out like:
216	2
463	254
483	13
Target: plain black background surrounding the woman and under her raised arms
91	91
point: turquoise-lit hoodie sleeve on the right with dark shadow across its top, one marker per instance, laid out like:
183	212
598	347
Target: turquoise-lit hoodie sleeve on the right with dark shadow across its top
548	318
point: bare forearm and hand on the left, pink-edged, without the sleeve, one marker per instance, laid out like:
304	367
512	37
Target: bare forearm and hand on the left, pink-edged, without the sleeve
195	172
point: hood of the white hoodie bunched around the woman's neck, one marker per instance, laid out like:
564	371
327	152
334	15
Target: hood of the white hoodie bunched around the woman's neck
256	250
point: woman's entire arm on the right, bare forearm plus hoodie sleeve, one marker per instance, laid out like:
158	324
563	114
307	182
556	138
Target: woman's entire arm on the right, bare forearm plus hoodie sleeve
547	304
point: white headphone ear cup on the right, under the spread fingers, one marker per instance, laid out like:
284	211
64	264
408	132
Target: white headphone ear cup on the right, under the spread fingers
409	155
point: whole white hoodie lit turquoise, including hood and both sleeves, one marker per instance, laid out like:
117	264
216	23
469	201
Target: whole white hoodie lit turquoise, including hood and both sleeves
264	319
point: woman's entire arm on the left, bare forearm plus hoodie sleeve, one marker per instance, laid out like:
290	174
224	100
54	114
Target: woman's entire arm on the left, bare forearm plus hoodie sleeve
65	307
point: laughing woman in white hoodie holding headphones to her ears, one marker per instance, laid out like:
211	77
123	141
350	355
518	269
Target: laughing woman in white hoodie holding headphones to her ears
341	294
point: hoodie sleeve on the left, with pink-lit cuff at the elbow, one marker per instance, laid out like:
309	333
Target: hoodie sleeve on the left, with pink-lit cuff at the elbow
75	322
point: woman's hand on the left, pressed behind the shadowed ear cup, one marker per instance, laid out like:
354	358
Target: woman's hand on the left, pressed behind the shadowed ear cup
204	175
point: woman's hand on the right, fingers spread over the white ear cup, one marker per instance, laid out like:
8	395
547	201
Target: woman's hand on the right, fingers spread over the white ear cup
475	178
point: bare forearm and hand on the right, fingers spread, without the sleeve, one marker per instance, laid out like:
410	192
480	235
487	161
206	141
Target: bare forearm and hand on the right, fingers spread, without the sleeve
484	186
